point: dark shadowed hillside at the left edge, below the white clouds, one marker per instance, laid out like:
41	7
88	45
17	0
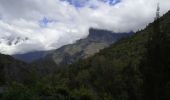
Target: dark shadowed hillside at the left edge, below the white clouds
12	70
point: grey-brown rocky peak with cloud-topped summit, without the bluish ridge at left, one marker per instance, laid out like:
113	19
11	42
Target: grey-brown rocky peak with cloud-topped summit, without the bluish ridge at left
84	48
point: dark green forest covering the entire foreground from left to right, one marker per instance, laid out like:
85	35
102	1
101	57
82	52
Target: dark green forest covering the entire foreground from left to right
134	68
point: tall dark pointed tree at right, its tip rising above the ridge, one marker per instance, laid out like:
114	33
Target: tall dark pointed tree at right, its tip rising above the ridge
155	67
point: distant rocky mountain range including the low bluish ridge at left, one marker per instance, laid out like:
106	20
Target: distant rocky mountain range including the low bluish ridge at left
96	40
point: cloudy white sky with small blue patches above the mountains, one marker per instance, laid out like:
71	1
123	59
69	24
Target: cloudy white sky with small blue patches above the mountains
49	24
